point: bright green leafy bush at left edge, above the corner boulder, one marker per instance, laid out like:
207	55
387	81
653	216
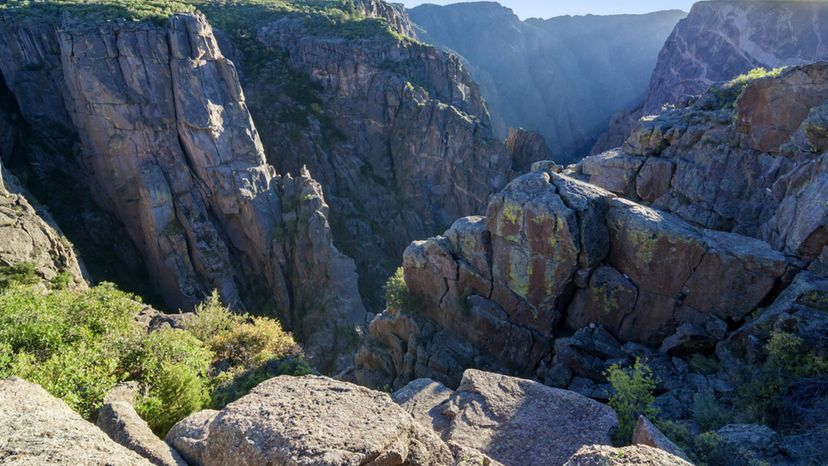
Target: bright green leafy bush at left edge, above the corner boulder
74	344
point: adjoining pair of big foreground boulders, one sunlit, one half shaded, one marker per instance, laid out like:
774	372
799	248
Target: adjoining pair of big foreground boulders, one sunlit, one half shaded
490	420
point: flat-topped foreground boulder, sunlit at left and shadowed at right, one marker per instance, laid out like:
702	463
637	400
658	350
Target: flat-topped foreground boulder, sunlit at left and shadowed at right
521	422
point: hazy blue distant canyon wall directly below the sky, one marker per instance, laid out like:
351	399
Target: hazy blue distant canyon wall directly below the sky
563	77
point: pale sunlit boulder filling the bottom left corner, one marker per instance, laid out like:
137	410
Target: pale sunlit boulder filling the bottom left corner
38	429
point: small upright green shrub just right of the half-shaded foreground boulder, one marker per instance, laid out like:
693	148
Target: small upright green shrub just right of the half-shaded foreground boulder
633	396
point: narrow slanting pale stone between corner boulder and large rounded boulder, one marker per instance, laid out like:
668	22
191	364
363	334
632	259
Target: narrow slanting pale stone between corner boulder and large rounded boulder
122	424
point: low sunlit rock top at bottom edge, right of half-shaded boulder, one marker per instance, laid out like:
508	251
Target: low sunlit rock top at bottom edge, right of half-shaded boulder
601	455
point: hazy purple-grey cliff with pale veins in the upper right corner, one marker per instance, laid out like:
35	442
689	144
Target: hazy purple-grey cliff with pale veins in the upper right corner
720	40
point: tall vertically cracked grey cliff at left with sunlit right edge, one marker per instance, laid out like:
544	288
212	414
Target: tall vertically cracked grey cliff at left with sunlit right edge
169	148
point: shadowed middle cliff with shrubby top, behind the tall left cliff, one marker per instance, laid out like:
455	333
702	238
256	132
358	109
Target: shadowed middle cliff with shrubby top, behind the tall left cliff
396	131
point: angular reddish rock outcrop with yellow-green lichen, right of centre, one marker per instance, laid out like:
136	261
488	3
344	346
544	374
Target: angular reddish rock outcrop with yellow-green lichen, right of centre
553	252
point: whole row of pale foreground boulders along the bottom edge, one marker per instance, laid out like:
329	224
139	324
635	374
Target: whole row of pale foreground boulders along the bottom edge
490	420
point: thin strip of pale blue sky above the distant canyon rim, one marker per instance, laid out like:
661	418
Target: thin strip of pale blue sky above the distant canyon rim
549	8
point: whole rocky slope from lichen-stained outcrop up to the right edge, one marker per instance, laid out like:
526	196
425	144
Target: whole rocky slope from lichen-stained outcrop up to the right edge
707	214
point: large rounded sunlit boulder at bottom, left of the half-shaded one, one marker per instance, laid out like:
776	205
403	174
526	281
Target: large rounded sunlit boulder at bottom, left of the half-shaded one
309	420
